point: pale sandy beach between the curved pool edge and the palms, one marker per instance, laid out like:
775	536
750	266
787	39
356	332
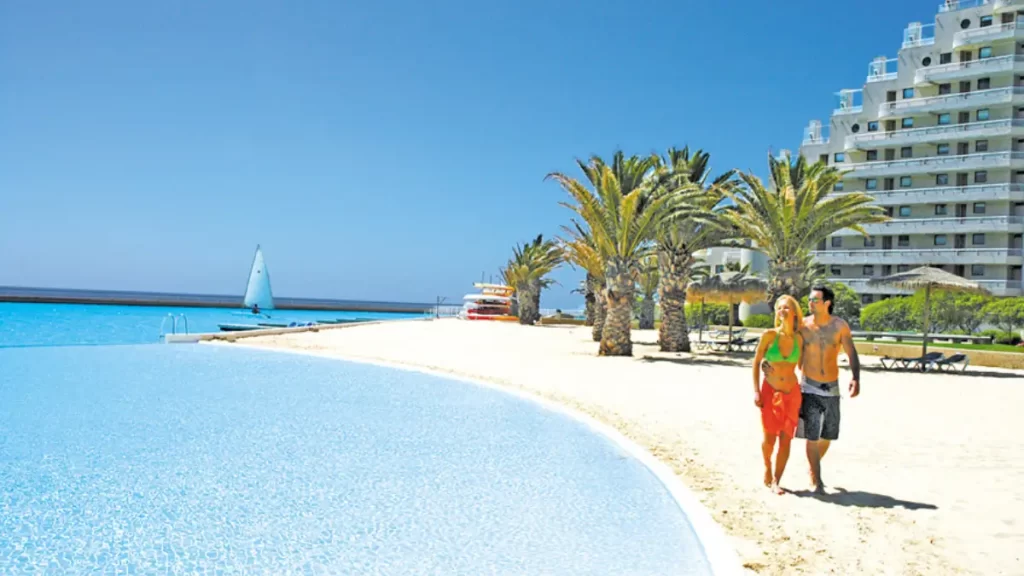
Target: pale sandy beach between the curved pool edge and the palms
927	477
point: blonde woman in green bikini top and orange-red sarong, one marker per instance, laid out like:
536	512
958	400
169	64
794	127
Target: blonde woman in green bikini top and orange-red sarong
779	395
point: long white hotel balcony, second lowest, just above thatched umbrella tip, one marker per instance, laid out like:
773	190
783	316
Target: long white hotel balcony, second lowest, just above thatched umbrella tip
1008	257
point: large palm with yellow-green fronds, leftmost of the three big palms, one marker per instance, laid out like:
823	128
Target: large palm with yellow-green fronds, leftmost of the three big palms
621	215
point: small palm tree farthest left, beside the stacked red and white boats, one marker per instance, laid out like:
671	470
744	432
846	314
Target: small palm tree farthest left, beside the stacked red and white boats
528	271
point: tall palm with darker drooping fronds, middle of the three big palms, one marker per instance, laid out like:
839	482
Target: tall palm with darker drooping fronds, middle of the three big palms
696	223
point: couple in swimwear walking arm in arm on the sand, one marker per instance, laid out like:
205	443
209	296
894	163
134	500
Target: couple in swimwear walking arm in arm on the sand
808	407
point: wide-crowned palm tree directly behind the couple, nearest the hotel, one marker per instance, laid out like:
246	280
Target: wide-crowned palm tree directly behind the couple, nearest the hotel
788	219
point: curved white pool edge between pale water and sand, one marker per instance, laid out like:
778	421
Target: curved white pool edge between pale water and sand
720	555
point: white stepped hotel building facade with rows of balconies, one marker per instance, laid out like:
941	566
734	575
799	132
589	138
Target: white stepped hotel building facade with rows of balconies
936	137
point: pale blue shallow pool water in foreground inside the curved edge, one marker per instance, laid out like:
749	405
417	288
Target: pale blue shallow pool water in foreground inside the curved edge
197	460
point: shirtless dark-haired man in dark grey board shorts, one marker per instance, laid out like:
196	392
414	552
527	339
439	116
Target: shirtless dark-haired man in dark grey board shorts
825	337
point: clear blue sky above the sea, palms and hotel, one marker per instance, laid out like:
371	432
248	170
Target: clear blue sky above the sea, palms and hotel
386	150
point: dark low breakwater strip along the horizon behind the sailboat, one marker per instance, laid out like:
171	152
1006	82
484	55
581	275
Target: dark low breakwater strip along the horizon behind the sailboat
72	297
